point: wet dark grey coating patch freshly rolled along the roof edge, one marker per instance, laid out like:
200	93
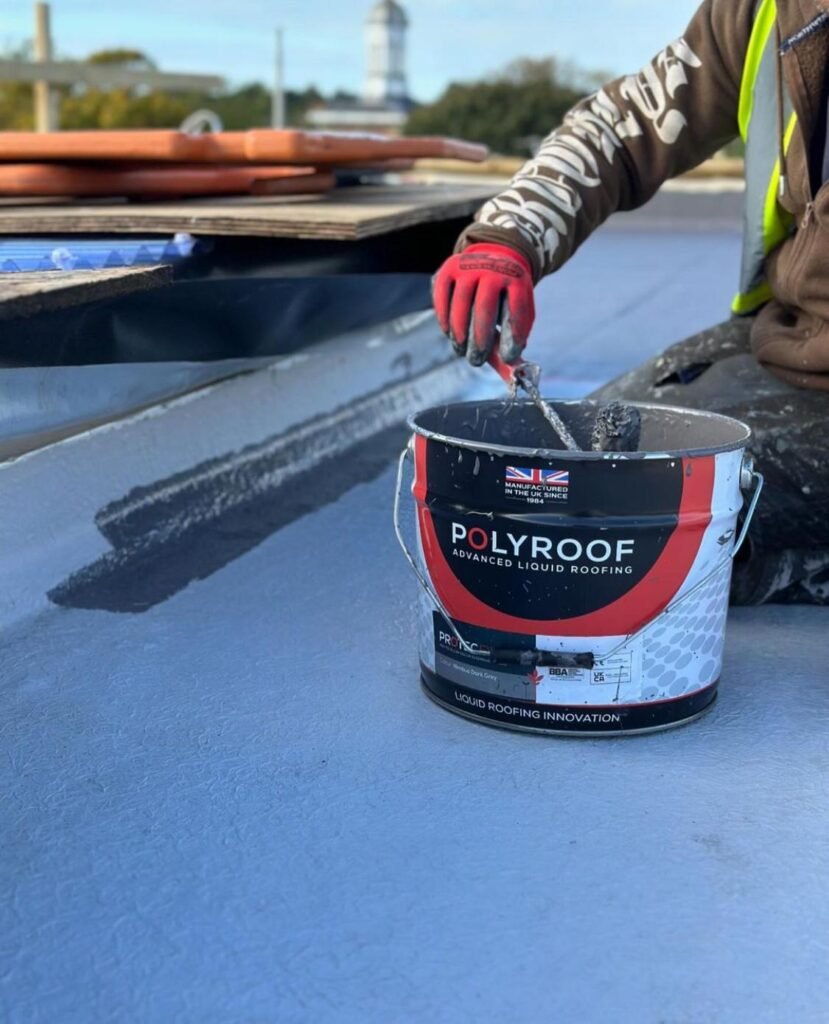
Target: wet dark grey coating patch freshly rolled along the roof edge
191	526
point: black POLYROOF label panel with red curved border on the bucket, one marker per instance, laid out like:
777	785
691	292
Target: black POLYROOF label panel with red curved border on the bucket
594	548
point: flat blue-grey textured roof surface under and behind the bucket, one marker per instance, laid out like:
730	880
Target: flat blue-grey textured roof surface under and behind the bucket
239	806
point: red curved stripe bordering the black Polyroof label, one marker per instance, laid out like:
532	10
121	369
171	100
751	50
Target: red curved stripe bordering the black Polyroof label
639	607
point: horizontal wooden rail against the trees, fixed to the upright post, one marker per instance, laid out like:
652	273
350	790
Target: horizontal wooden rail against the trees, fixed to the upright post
103	76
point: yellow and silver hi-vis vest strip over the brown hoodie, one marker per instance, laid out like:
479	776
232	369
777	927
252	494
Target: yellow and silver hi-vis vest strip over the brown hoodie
767	224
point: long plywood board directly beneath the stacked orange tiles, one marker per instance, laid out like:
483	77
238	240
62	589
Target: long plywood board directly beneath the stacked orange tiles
347	216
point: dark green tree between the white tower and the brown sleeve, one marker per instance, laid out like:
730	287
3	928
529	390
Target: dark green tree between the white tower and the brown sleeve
510	113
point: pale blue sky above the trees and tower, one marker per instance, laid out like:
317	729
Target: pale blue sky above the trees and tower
449	40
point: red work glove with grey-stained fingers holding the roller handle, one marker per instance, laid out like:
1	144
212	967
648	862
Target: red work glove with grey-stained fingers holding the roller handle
484	297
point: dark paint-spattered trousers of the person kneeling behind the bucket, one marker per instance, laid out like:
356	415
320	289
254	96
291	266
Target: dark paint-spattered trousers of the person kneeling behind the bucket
788	558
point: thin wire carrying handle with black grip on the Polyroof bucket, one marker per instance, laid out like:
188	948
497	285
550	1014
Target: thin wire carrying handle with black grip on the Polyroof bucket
750	477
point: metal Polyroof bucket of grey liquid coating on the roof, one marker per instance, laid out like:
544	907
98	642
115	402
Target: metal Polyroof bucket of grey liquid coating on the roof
579	593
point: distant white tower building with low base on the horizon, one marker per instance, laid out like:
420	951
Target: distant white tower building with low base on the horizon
385	103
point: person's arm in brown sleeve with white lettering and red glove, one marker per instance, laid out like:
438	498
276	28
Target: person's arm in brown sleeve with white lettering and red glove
613	153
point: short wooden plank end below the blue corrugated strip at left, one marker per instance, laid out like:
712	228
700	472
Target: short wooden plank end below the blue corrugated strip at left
27	294
